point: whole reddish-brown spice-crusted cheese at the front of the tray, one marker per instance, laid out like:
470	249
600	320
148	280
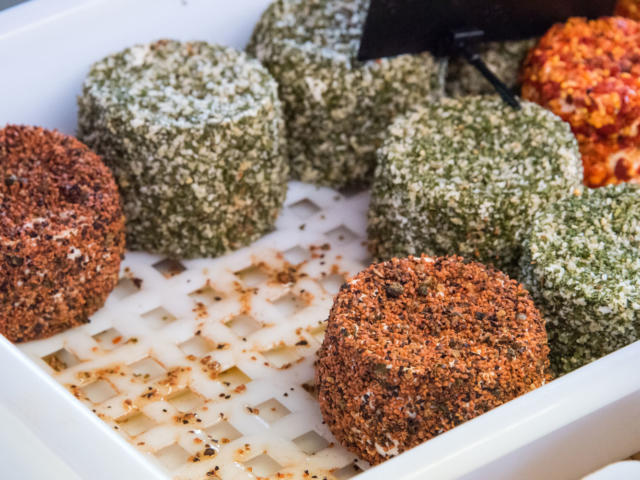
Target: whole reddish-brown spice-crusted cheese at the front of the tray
417	346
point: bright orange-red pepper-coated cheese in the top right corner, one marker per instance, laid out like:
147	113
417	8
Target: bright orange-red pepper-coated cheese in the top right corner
588	73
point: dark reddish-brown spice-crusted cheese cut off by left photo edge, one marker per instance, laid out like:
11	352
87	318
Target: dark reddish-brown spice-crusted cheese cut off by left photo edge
61	232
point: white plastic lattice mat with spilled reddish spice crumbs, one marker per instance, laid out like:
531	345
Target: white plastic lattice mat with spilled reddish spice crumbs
207	365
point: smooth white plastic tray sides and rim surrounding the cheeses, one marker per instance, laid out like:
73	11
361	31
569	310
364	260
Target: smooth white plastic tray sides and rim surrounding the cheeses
566	429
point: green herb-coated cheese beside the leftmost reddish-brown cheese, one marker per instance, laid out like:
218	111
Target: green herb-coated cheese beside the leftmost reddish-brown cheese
195	137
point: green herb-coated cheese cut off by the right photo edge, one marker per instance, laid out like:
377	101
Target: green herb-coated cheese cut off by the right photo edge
582	265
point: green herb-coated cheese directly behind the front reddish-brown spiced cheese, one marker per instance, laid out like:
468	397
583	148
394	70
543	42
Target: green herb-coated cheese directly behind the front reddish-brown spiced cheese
465	177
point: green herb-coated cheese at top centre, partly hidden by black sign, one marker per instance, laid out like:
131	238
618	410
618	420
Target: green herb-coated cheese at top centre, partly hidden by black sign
336	107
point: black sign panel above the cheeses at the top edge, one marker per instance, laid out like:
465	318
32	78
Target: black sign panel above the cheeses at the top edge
394	27
